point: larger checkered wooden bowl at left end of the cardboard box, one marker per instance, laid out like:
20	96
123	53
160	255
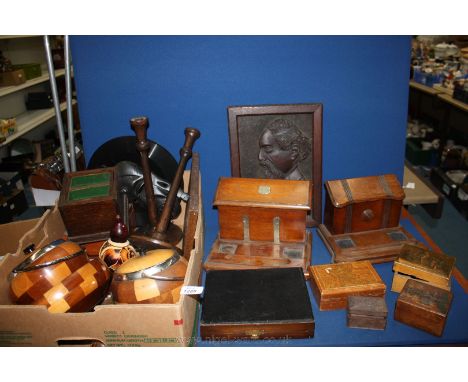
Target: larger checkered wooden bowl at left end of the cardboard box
61	277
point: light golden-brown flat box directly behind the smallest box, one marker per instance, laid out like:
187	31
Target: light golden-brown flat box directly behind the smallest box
332	284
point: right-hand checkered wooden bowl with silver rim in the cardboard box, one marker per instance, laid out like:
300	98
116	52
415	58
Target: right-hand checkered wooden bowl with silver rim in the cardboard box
152	279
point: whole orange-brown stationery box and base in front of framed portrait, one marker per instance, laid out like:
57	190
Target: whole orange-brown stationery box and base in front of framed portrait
262	224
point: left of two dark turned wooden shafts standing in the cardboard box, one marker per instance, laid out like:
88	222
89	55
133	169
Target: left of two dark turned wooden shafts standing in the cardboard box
140	126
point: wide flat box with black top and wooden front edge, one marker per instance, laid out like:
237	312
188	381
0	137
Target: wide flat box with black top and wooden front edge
256	304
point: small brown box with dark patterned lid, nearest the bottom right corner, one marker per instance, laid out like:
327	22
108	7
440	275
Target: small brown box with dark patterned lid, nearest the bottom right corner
423	306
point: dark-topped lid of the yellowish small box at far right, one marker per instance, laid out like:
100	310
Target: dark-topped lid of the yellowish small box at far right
414	259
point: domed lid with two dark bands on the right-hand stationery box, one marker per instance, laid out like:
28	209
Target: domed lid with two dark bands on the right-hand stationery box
346	191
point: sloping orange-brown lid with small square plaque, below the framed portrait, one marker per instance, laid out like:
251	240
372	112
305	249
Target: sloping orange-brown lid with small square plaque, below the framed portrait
272	193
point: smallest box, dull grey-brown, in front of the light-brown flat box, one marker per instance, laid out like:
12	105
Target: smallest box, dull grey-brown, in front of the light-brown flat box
367	312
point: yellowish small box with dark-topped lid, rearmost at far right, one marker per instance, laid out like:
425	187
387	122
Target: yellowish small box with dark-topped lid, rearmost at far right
424	265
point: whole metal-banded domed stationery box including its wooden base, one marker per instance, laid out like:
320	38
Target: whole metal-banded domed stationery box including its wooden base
362	217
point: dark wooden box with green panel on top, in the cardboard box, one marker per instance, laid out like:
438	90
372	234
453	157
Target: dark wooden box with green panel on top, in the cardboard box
88	203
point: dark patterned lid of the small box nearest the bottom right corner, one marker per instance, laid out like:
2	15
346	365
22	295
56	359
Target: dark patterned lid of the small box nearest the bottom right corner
426	296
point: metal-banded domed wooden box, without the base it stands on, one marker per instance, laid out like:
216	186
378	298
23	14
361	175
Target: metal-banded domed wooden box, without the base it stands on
362	204
